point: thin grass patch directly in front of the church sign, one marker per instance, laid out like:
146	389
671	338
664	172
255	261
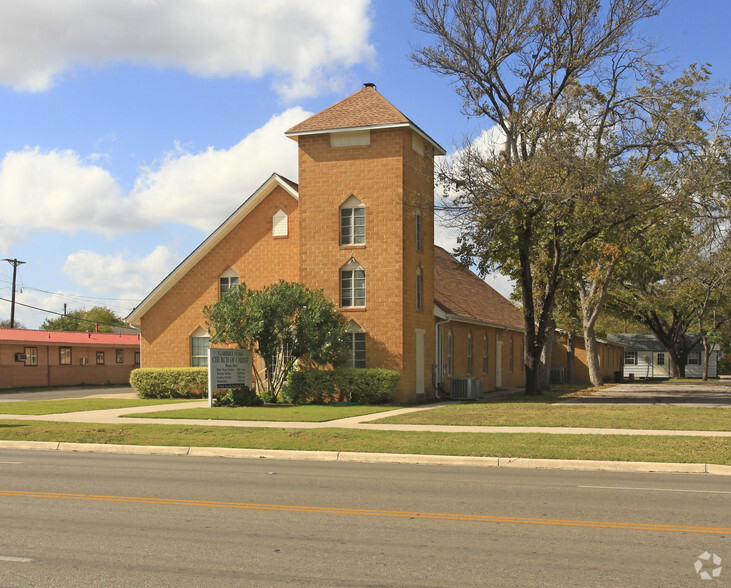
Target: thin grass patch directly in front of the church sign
278	412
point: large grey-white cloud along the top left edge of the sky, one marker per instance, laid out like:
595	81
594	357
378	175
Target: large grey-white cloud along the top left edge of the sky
303	44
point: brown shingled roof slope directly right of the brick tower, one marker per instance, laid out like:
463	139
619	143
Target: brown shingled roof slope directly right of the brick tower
462	295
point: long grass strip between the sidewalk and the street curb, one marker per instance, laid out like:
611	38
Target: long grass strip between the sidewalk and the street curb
597	447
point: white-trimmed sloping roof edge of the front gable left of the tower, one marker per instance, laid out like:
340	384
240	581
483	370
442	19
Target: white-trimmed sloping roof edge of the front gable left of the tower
213	239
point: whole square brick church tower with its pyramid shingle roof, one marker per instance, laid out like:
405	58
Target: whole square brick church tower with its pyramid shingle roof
366	206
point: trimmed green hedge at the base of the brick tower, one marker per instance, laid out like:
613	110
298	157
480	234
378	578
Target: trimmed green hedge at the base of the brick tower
366	386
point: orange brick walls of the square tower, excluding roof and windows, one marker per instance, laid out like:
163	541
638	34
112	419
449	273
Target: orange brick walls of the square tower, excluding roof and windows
392	181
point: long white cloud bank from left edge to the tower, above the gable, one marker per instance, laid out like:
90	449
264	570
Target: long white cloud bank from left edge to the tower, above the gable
62	192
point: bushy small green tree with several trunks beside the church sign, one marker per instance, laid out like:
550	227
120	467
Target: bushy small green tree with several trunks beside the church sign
284	322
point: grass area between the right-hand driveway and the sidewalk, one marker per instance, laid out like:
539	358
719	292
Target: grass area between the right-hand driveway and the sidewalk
536	414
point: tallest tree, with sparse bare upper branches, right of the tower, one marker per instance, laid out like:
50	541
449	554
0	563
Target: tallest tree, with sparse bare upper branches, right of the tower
558	79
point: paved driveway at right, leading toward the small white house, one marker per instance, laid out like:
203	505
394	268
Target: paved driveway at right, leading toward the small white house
715	393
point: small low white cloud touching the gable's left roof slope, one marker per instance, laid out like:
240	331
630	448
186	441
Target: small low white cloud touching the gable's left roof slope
128	277
